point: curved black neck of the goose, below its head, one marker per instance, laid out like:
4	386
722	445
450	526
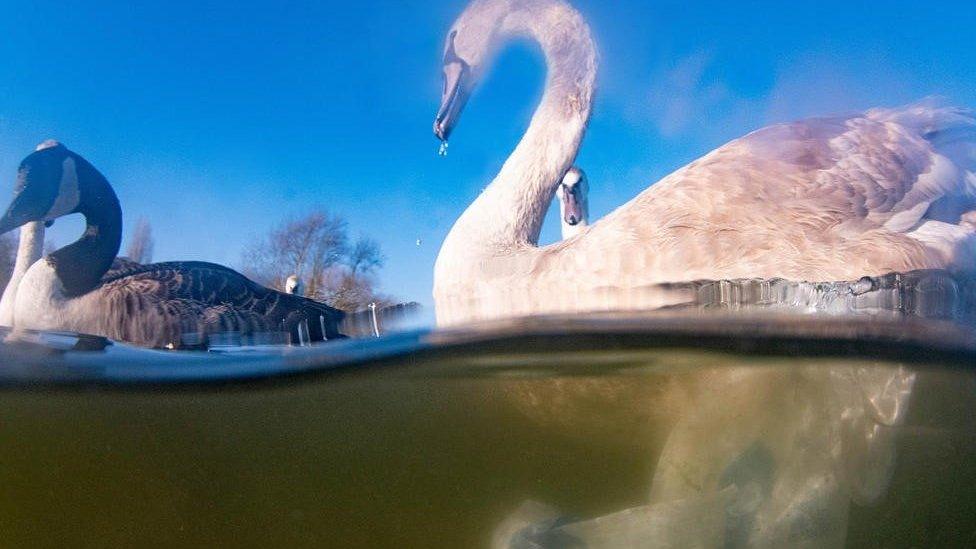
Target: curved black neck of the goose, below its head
80	265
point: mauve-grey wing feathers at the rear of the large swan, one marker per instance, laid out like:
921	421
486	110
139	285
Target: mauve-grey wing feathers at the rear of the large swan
887	168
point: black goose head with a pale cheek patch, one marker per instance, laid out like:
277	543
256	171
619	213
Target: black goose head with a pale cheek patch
48	186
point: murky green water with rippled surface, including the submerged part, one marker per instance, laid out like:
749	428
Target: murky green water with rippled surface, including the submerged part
681	429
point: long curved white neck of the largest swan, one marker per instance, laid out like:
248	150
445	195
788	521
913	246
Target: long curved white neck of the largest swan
509	213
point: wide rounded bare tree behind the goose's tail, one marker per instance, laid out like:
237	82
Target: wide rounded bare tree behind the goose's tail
316	249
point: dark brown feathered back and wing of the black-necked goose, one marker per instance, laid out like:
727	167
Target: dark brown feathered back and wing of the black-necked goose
177	298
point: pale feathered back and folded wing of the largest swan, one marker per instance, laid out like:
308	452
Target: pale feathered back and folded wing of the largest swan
819	199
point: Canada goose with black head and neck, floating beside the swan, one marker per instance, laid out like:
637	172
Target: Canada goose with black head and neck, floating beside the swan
84	287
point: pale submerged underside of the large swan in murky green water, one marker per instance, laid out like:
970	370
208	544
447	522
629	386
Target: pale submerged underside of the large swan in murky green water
756	456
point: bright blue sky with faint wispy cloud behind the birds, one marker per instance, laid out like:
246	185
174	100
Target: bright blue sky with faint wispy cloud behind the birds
216	121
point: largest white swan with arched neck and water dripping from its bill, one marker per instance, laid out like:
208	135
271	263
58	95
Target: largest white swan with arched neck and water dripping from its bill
821	199
